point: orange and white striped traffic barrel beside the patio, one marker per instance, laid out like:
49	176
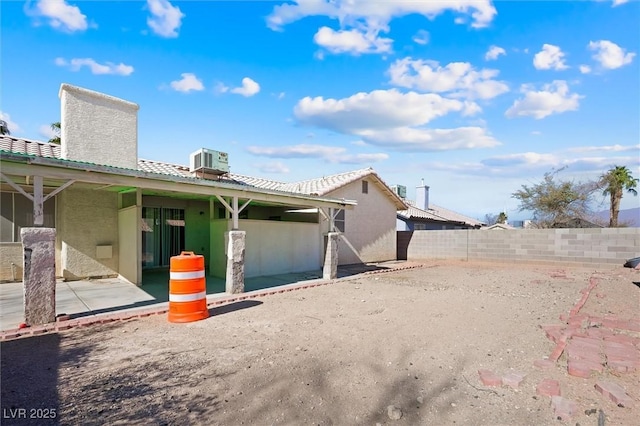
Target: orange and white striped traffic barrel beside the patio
187	288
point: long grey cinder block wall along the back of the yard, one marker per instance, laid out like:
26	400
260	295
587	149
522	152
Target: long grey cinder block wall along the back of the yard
587	247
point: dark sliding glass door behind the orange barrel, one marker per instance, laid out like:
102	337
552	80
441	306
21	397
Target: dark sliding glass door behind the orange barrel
162	235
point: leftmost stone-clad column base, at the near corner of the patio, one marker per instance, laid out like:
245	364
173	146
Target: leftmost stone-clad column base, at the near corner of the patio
39	275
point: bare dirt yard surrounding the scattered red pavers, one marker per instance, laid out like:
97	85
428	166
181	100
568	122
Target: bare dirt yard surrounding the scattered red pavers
400	348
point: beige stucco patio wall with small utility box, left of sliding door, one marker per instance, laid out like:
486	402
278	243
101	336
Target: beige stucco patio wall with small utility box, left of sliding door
87	218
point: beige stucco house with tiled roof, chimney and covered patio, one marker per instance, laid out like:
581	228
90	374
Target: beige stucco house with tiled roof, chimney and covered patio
118	215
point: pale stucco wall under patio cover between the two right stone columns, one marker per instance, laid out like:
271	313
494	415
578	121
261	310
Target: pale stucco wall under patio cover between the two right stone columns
274	247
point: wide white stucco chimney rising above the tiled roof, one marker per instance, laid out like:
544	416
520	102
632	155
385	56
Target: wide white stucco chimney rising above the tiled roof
98	128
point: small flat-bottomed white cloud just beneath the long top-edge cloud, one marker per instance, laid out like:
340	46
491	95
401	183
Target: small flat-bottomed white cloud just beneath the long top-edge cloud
352	41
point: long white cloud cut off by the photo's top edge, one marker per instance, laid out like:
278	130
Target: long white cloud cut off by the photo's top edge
377	14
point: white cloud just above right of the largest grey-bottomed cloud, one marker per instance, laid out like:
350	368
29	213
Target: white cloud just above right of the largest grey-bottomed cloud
460	78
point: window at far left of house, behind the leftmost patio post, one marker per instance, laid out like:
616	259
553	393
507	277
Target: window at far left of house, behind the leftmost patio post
16	212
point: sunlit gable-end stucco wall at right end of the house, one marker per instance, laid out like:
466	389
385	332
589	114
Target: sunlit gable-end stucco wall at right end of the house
370	228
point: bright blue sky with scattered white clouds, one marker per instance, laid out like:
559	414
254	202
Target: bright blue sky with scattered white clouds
475	97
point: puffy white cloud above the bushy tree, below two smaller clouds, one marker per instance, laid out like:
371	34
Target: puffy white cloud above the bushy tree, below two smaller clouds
554	98
